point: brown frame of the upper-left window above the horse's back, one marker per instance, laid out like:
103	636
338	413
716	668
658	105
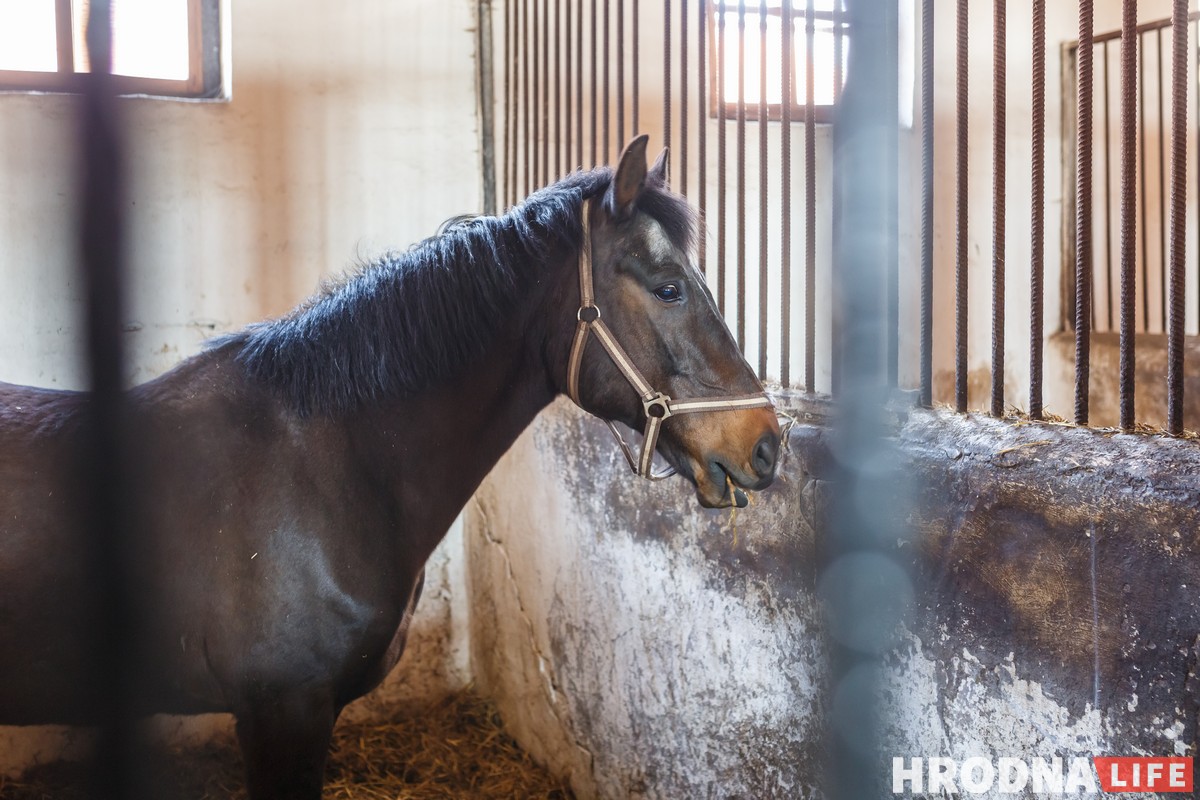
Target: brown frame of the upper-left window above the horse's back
206	81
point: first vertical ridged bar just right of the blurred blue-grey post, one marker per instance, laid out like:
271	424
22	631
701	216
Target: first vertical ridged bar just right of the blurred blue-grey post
927	202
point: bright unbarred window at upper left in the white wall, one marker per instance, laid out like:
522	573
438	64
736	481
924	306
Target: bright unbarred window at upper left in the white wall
169	49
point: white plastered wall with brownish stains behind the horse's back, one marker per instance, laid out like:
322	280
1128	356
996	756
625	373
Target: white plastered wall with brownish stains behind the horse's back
352	129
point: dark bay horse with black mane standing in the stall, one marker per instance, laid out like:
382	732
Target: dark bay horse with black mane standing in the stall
296	477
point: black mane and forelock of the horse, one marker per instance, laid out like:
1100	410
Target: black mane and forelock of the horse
410	320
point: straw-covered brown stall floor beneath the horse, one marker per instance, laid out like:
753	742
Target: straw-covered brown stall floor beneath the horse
457	750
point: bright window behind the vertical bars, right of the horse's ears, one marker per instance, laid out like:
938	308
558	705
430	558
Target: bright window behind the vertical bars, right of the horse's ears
748	50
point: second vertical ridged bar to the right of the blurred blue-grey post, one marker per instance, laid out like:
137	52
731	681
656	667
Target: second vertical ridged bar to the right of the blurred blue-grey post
961	212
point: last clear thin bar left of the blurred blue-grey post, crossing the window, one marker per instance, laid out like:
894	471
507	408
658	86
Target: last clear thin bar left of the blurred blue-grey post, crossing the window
811	196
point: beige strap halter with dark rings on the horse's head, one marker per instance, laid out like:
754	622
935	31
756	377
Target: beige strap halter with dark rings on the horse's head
657	406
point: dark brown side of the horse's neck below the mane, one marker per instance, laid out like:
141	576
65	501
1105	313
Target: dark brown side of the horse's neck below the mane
436	447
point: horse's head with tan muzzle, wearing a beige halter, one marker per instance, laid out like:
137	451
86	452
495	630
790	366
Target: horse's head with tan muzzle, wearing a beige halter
650	348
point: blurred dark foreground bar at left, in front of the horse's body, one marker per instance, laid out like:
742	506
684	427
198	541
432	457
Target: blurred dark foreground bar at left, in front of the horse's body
105	459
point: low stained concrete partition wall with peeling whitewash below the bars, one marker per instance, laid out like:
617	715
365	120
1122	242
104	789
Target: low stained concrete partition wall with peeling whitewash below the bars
653	649
